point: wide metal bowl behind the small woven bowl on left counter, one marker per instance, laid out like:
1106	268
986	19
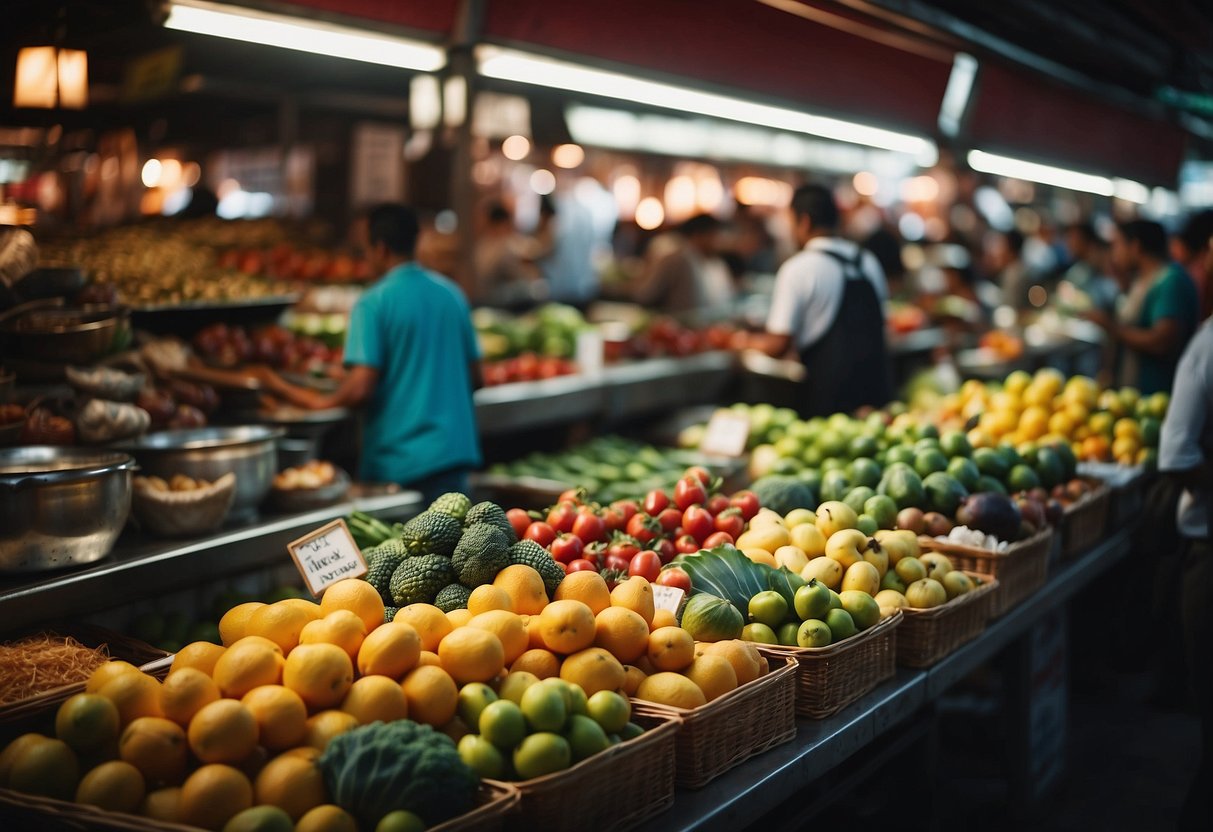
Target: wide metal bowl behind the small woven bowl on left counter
249	452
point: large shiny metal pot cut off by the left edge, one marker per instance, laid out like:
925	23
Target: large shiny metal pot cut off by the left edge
61	506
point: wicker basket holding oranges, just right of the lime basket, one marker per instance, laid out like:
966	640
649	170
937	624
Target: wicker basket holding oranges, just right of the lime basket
732	730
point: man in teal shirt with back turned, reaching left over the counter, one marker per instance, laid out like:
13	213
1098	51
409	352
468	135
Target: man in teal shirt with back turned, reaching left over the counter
413	361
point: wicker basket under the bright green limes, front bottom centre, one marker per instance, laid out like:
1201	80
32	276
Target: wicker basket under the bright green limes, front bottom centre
613	790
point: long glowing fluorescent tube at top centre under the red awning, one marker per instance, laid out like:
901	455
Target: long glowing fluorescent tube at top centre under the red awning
526	69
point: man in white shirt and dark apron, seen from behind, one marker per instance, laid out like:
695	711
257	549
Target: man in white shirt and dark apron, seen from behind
829	305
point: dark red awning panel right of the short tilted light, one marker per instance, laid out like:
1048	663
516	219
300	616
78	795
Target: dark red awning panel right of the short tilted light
1029	117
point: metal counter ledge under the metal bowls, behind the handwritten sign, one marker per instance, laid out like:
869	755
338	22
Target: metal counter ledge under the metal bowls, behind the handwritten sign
143	568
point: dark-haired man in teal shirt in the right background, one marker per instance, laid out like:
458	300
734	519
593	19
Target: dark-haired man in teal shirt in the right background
1159	315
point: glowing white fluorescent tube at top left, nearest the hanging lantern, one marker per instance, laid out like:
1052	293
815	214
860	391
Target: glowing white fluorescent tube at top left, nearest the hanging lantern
305	36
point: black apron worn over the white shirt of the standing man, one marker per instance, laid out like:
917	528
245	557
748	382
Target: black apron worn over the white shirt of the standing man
848	367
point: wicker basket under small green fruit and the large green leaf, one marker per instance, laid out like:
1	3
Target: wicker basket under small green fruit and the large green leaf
828	680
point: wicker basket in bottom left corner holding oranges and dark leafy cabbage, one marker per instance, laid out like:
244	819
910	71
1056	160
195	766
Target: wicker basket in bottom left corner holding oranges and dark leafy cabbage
494	802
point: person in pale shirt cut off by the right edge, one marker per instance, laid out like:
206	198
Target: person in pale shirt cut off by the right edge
1184	455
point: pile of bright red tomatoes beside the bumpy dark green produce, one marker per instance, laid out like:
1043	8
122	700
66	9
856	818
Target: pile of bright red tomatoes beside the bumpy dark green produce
631	538
